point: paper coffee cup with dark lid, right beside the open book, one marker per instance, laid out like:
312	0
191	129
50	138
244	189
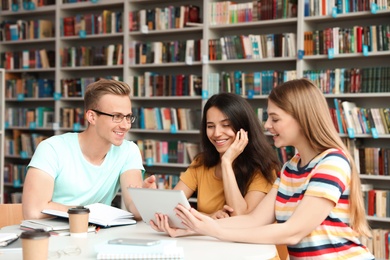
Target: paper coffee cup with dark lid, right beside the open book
78	221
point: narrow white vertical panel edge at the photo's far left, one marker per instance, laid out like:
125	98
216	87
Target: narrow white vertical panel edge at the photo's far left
2	82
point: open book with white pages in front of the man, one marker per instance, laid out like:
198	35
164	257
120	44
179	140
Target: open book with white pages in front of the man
101	214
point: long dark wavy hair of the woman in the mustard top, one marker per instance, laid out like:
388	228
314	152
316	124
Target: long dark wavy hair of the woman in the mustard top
258	155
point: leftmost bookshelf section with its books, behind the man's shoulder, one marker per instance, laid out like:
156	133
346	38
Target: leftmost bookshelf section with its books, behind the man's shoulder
30	71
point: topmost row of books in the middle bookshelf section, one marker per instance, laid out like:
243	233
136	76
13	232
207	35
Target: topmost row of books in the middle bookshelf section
162	18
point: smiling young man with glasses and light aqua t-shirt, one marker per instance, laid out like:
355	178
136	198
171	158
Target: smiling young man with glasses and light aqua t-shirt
84	168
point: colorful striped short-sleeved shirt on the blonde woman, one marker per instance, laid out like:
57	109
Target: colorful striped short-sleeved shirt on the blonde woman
327	176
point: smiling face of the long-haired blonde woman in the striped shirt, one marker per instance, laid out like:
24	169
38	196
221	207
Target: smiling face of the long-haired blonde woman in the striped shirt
284	128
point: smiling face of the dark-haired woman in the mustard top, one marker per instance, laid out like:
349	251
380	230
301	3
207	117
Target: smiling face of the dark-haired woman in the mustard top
219	130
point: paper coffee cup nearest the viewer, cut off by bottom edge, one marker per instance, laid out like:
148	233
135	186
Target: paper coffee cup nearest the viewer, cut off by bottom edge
35	245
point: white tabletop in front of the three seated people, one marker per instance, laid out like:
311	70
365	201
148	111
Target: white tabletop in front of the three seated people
195	247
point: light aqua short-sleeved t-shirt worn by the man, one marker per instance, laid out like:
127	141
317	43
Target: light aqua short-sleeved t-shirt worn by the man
77	181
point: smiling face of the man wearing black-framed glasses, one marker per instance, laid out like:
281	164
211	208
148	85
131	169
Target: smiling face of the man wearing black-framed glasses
108	130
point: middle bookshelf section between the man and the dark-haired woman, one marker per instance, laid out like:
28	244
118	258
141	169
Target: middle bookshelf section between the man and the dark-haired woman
174	67
